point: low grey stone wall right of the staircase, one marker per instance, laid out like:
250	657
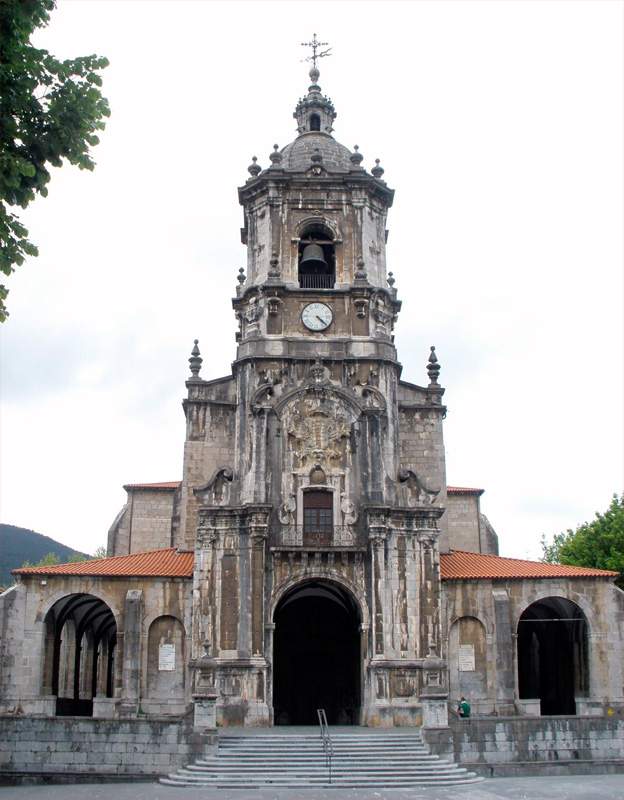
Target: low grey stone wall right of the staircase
532	745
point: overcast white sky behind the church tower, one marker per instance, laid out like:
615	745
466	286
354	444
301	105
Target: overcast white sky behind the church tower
499	125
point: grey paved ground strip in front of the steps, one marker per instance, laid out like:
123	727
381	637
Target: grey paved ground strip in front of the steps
577	787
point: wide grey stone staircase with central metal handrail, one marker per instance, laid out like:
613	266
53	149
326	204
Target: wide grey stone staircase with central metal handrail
382	759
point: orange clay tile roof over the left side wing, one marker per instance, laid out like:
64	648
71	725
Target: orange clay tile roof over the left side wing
169	563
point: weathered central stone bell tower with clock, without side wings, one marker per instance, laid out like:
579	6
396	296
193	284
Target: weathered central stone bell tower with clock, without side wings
313	475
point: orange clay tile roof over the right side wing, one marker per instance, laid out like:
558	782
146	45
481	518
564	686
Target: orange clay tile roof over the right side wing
461	565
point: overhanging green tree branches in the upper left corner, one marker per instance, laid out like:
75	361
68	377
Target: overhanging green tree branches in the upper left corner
50	111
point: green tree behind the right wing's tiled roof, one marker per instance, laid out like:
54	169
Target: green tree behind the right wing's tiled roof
599	543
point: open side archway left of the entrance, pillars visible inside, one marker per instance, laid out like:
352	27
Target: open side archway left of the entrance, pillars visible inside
81	634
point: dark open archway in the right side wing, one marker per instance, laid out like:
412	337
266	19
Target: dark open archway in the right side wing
552	655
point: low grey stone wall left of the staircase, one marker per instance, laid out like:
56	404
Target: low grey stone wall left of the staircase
81	747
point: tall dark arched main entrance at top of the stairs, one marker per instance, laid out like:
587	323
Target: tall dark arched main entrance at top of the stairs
316	655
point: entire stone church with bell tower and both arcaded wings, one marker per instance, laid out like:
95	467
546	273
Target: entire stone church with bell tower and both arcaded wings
312	554
